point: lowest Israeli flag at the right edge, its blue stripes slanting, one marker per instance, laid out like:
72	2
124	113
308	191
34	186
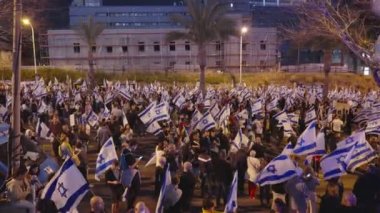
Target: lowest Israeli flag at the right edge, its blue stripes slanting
360	154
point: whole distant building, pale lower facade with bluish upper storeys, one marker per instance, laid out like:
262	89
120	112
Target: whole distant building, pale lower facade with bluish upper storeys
135	38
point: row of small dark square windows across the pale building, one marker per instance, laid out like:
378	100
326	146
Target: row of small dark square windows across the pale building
157	47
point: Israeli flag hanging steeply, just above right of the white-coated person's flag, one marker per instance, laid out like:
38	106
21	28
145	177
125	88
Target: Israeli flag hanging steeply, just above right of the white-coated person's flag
307	141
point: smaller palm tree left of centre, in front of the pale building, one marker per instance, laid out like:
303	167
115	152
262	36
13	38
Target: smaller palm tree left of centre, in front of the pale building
89	31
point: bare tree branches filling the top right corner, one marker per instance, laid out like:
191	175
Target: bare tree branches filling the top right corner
349	21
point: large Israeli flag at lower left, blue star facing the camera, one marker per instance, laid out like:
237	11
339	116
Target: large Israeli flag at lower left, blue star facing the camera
67	188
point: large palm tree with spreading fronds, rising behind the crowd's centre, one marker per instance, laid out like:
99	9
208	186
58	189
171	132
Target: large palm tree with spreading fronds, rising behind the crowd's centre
206	22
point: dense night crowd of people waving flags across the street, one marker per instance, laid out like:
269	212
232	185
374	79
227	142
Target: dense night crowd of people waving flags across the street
202	140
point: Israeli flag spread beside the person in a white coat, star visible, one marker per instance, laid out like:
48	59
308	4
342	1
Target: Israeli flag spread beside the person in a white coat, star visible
279	170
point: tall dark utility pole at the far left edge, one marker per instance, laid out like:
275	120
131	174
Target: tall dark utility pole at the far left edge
15	151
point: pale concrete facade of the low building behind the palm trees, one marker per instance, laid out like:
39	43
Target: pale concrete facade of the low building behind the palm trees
260	50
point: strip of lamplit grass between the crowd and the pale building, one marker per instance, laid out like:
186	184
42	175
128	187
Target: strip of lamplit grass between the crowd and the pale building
251	79
